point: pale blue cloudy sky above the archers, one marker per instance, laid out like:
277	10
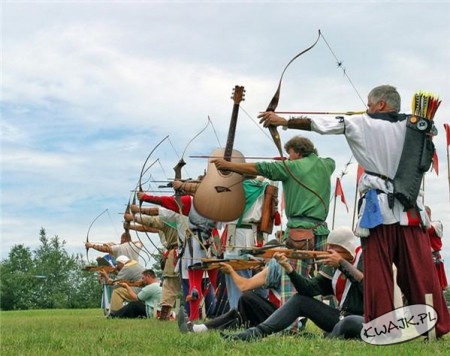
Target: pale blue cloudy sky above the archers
90	87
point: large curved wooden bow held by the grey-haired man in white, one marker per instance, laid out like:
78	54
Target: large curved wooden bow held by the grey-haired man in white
274	132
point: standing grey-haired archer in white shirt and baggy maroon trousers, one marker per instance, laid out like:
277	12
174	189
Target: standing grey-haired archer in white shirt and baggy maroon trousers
395	151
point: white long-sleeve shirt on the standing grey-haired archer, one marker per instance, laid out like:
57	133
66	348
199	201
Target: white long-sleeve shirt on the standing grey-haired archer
377	145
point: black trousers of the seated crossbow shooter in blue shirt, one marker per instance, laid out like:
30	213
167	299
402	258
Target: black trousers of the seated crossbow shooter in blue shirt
252	310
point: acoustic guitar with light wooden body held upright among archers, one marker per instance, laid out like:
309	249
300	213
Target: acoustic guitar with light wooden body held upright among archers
220	195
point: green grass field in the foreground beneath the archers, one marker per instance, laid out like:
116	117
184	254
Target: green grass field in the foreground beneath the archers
87	332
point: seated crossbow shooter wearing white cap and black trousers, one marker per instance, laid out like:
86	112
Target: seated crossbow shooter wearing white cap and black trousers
345	284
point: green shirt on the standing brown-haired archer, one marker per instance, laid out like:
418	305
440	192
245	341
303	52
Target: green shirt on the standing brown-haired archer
300	203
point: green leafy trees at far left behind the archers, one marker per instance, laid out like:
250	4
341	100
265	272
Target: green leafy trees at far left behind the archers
46	278
